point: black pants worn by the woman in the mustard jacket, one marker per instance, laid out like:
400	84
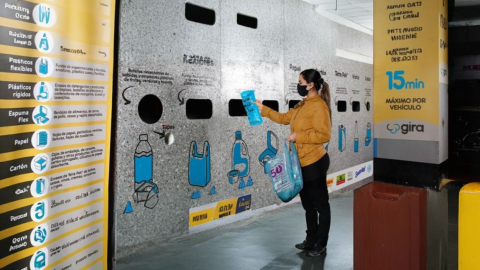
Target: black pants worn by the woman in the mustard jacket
314	196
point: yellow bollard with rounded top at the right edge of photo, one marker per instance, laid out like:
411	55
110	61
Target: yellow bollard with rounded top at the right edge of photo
469	227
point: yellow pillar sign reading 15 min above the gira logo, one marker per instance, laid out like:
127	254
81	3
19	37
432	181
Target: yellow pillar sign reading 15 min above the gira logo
410	64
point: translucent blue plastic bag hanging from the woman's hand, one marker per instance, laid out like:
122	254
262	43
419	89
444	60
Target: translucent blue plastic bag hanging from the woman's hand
286	173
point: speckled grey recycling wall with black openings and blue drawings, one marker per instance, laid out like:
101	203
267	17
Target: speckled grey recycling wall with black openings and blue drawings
179	167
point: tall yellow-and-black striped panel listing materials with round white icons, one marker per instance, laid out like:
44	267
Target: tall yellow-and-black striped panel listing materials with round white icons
56	67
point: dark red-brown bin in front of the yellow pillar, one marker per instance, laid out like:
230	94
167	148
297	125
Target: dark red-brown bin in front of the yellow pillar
390	227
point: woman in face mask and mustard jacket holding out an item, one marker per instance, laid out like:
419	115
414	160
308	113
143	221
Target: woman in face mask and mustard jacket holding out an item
310	126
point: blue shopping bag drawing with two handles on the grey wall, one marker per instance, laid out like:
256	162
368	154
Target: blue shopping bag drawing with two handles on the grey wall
199	165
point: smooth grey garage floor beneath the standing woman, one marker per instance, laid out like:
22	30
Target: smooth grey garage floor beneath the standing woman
264	242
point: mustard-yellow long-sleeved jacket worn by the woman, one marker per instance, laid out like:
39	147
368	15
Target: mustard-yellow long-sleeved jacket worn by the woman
310	120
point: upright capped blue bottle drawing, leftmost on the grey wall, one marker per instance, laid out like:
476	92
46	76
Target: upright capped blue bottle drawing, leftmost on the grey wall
143	162
